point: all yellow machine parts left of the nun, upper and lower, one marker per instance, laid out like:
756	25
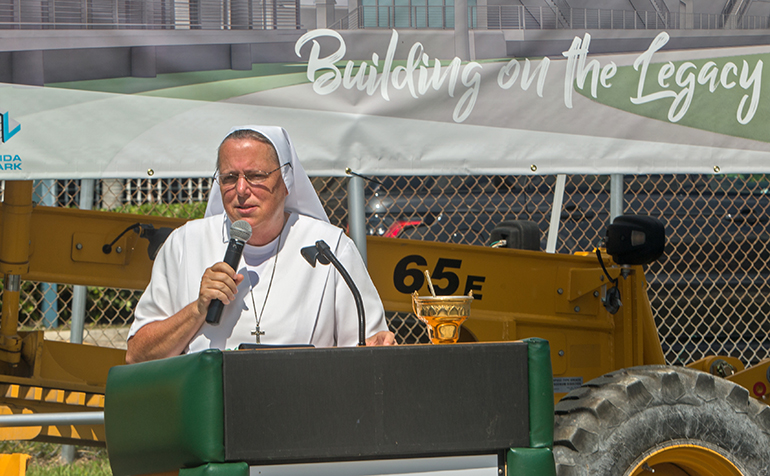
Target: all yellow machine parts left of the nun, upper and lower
63	246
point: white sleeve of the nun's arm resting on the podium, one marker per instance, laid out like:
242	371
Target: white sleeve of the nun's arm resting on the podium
345	304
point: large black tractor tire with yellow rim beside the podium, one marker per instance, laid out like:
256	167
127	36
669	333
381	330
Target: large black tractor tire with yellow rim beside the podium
661	420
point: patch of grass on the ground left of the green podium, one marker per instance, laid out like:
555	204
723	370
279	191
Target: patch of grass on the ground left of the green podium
47	461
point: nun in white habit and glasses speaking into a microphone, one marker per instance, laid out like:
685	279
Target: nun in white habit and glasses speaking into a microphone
273	296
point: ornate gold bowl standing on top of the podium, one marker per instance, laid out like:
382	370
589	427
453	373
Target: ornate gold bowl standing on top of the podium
443	314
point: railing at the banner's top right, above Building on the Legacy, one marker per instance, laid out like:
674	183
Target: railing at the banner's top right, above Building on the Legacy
519	17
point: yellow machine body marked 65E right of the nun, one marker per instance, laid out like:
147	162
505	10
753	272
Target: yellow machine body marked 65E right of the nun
524	294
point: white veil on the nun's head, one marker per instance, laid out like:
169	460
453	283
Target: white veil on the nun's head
302	197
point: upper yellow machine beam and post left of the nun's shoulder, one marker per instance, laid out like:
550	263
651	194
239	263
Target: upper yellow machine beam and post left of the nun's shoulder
62	245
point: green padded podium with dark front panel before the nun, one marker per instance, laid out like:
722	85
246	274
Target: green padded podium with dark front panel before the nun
226	412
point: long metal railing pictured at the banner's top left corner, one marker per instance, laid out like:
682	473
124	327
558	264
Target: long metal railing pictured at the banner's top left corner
150	14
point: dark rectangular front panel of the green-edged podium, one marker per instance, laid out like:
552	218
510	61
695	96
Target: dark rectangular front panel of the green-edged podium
301	405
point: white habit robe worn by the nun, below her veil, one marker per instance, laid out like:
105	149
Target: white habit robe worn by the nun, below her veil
305	305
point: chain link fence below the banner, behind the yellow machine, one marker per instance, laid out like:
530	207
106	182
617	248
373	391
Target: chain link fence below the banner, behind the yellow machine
709	292
